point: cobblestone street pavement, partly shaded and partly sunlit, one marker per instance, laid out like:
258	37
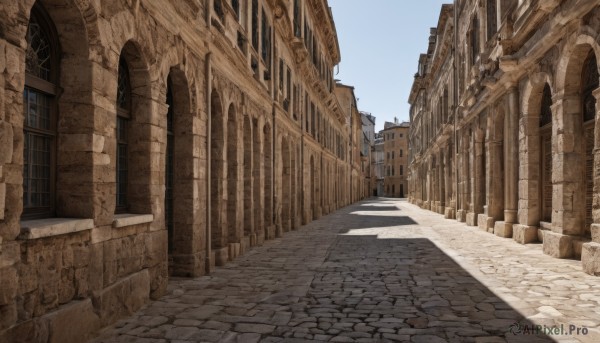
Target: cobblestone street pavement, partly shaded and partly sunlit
378	271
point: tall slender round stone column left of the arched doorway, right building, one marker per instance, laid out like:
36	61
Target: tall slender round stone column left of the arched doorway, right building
511	196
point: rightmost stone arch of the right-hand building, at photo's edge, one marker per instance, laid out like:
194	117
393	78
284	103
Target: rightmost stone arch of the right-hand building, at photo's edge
576	175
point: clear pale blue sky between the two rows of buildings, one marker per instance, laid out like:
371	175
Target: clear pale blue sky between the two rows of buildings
380	43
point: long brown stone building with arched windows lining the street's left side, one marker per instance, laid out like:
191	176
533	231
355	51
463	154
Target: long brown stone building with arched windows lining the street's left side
143	139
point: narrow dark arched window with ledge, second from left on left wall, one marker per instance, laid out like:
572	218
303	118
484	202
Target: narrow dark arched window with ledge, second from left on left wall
123	119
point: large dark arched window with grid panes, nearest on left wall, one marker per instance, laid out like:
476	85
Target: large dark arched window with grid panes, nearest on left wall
40	112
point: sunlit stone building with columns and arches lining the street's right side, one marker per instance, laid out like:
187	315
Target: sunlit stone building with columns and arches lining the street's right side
505	132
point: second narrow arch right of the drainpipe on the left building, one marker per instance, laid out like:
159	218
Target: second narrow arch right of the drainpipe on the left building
233	177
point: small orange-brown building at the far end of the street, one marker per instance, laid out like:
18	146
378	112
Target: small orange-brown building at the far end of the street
395	149
